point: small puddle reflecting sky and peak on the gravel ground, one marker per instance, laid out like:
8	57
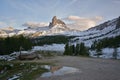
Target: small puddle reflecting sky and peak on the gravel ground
58	70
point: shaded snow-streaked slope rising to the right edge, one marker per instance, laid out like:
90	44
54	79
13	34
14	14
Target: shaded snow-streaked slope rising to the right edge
107	29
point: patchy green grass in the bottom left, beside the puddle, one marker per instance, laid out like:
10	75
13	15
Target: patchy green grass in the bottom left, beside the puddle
27	70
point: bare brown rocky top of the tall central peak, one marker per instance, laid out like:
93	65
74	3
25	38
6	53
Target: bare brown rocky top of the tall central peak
56	21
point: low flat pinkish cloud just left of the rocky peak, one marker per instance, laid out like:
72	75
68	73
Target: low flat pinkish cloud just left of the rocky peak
35	24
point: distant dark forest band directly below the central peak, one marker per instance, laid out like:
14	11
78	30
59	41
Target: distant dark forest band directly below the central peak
55	39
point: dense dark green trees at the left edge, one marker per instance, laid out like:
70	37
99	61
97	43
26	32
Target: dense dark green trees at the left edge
10	44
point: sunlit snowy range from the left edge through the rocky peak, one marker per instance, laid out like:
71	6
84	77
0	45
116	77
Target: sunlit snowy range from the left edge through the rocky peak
57	26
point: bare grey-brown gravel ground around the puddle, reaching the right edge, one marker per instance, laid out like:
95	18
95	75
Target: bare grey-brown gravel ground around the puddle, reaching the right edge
90	68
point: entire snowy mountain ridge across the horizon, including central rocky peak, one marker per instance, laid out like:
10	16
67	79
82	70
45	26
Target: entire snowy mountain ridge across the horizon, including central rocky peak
57	27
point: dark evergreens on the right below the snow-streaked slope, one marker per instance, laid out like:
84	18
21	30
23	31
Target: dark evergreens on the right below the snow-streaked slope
113	42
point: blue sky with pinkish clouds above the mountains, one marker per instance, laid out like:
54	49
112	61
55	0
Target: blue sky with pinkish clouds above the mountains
78	14
